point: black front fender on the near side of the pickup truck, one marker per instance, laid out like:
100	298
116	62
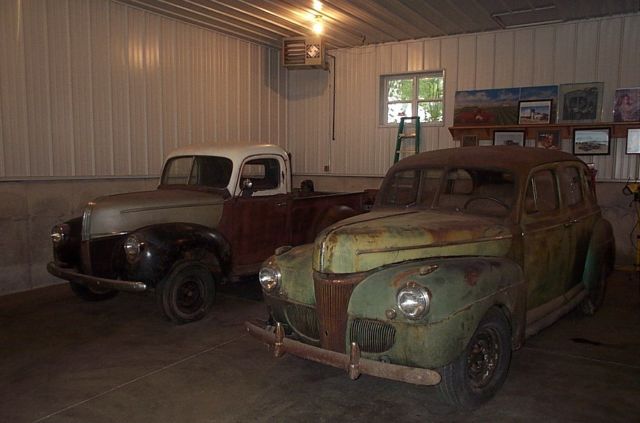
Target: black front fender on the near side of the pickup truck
167	243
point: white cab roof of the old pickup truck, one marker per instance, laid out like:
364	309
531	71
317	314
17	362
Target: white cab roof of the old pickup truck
234	151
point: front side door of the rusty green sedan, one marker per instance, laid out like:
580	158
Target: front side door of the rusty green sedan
547	239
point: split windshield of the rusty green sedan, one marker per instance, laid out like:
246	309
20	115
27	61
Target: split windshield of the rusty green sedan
468	190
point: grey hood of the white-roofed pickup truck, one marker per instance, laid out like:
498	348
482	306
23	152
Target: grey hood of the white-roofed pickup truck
121	213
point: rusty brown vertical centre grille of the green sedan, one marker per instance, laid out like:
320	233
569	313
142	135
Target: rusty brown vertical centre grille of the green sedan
332	301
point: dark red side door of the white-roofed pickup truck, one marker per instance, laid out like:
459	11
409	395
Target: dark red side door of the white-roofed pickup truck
260	212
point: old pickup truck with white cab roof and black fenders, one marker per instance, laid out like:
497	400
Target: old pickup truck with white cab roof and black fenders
218	212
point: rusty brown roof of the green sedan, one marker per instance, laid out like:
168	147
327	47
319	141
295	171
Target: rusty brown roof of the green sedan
513	158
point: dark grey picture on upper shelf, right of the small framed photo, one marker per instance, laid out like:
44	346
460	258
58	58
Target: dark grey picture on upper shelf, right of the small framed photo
581	102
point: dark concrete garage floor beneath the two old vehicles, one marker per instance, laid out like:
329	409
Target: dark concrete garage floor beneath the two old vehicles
64	360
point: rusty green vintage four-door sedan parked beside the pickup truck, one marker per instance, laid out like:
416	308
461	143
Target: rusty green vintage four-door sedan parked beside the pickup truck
466	252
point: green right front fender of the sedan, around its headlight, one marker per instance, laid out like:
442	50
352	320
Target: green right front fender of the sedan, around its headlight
468	285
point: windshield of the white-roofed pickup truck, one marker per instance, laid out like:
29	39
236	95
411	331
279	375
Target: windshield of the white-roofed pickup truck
205	171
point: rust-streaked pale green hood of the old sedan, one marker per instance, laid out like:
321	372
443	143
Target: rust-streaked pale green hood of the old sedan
384	237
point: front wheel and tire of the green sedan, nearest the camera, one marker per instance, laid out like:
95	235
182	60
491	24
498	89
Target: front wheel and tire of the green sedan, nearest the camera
476	375
